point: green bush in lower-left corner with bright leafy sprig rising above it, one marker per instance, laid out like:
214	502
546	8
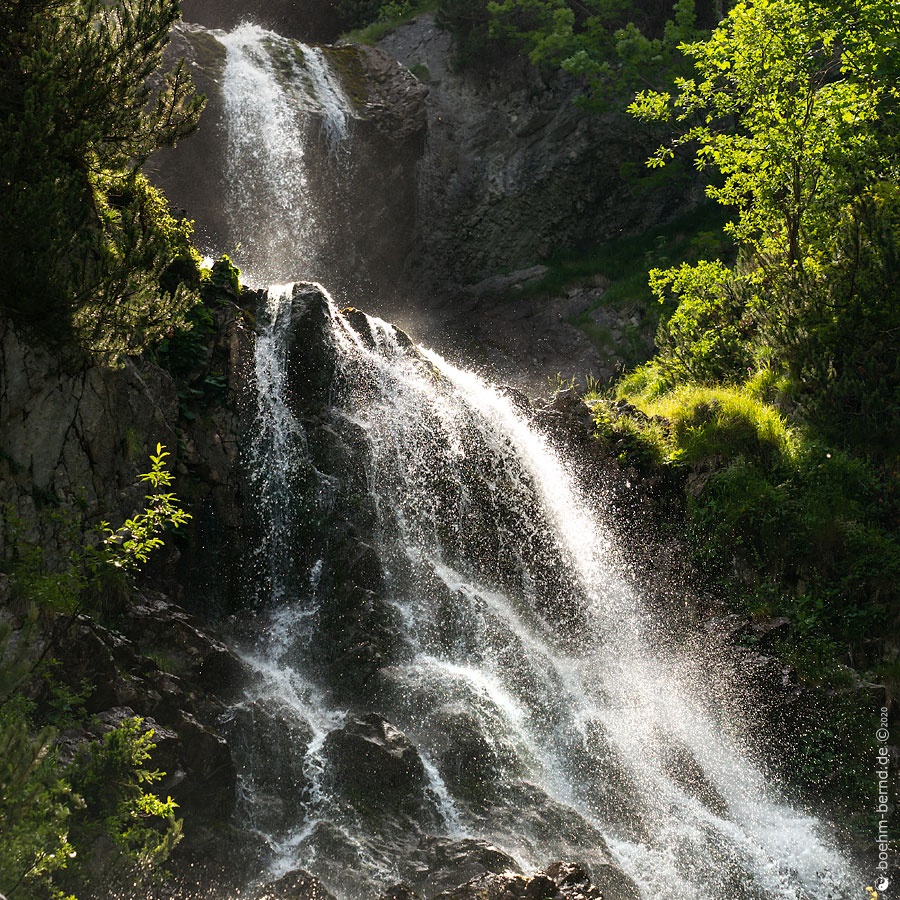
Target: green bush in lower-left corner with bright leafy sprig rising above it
64	824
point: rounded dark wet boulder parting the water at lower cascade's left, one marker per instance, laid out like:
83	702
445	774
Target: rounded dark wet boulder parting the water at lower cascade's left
374	761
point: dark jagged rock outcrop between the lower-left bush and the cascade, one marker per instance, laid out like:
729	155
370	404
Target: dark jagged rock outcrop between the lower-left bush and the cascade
159	682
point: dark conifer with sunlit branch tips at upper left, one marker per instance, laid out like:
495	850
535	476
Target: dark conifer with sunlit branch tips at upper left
87	243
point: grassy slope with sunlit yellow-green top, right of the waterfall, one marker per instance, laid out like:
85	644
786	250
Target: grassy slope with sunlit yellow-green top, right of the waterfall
810	528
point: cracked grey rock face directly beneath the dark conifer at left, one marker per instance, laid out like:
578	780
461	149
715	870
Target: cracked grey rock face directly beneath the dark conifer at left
75	436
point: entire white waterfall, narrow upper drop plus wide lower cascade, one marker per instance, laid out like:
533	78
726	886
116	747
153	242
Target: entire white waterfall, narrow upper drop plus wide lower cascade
546	719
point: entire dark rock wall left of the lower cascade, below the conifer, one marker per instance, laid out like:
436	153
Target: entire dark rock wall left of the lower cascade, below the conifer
74	437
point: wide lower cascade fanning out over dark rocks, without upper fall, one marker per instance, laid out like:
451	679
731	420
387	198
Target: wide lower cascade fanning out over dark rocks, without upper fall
523	674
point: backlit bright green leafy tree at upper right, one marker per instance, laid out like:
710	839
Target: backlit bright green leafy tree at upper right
793	107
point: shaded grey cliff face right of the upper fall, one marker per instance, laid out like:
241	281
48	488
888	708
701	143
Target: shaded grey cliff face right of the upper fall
512	169
